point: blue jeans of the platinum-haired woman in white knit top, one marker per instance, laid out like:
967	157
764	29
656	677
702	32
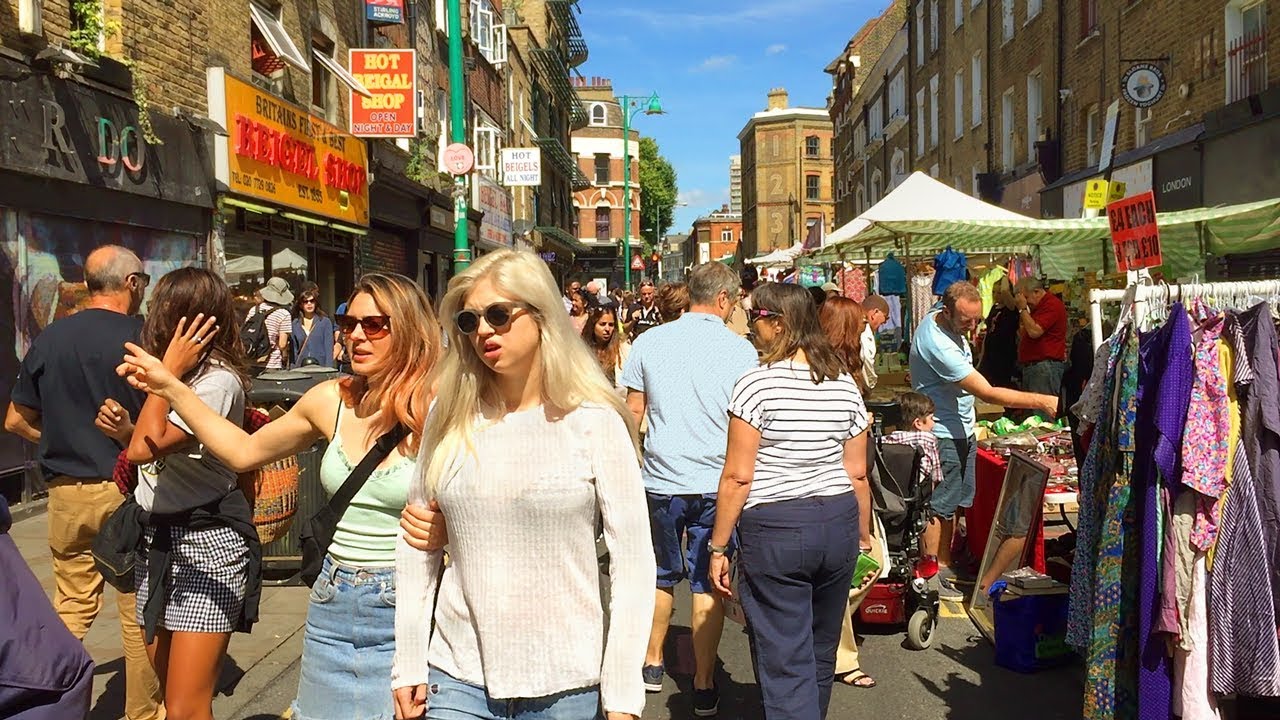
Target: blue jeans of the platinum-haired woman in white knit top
450	699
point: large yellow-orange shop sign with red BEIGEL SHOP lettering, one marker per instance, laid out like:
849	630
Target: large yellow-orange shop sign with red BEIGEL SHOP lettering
282	154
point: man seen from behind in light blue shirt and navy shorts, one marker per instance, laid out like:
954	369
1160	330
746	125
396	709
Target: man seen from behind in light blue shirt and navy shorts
680	377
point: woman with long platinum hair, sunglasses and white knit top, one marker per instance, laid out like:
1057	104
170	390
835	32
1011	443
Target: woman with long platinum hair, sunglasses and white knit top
527	454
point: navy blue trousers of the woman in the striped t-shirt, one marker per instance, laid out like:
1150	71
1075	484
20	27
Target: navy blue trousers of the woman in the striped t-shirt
797	562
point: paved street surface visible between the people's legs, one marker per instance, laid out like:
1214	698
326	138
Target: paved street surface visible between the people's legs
957	680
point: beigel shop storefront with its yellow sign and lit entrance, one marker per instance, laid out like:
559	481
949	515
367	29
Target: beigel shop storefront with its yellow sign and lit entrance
295	194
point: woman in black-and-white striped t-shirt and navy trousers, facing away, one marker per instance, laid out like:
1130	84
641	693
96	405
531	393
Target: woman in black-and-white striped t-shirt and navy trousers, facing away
794	479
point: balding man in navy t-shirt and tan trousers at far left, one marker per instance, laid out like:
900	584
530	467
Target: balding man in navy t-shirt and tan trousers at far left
65	379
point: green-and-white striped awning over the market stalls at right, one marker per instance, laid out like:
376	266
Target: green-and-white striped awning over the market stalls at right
1066	247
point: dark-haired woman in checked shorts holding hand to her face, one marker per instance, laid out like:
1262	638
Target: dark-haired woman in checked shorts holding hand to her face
198	567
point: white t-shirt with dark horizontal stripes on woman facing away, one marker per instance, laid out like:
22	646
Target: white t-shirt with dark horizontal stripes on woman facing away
803	431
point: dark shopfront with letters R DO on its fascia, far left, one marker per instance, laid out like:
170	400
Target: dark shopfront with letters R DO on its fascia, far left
80	168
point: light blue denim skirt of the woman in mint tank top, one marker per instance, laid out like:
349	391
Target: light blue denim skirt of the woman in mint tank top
349	645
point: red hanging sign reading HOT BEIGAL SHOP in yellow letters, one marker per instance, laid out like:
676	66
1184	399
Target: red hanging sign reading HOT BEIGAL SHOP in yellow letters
392	79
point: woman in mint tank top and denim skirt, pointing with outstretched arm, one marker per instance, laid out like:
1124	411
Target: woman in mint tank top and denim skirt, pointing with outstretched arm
392	338
